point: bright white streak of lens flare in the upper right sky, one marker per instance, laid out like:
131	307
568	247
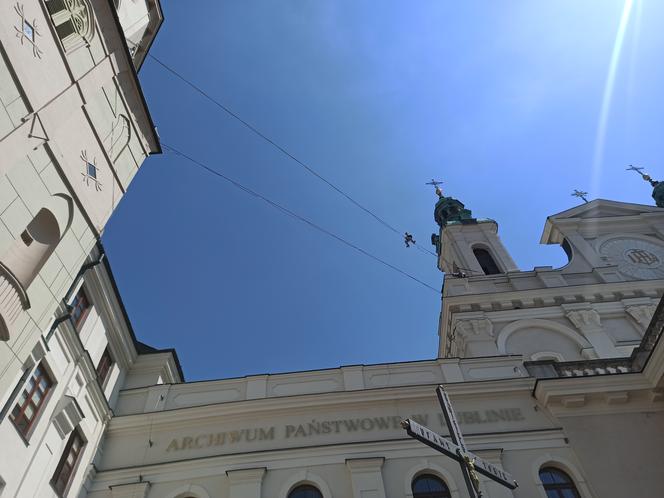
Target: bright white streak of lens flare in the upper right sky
600	138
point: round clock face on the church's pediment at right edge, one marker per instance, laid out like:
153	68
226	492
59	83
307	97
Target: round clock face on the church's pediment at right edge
636	258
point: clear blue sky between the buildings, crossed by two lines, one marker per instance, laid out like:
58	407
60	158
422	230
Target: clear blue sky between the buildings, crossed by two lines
502	100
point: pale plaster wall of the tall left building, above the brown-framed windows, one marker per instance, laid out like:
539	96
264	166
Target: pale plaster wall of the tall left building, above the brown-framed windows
88	109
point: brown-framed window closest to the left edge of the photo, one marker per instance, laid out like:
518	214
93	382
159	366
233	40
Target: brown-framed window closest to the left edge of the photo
38	408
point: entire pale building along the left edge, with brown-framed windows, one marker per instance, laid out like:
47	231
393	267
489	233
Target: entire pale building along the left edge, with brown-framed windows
74	130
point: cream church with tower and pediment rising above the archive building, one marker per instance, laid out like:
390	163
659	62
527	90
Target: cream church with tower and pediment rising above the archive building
598	305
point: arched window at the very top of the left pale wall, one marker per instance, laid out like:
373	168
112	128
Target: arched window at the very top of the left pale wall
73	21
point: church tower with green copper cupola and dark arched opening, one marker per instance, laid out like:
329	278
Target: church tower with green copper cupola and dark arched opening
465	244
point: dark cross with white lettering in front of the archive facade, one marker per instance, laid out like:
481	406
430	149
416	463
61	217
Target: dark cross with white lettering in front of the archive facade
470	463
